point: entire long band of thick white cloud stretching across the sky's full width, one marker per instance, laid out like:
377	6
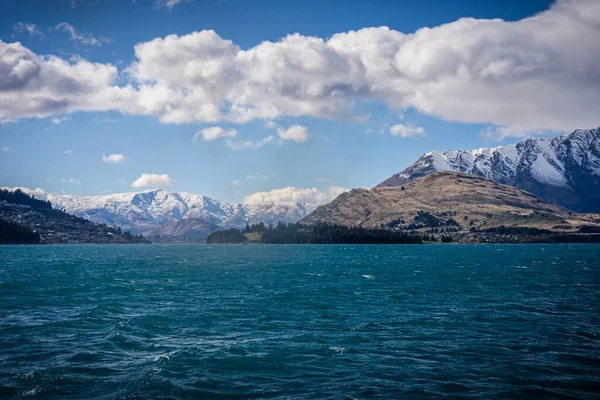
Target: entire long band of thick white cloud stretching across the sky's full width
540	72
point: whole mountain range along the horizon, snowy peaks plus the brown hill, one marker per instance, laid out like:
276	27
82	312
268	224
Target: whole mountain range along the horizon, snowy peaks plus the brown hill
563	172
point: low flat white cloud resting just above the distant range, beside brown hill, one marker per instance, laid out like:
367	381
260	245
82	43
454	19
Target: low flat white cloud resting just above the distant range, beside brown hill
292	195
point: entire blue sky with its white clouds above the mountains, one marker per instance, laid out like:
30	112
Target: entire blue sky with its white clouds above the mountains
280	100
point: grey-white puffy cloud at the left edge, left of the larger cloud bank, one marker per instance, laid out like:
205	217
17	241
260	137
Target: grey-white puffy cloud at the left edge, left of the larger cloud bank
42	86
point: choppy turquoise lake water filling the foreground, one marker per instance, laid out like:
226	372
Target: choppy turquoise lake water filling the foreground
246	322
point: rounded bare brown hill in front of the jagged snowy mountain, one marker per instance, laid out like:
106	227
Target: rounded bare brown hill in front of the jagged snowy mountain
448	200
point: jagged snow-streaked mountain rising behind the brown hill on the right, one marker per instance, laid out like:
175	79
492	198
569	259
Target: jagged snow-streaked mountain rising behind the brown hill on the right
563	170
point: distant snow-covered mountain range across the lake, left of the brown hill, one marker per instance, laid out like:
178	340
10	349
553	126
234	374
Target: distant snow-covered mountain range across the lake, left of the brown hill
161	212
